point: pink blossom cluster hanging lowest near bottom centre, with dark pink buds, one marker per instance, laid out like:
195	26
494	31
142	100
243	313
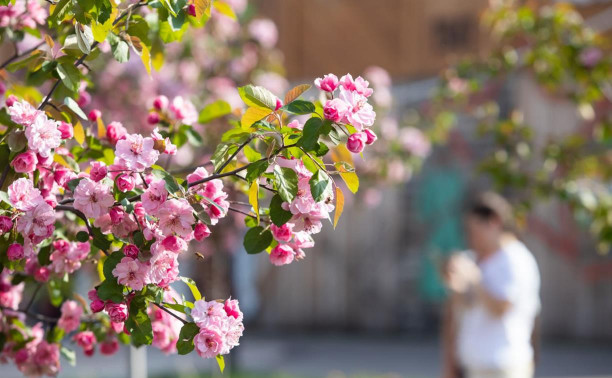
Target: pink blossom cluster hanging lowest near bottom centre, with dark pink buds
220	326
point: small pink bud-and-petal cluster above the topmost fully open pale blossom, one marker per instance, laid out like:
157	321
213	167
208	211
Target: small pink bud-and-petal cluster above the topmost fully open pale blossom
178	110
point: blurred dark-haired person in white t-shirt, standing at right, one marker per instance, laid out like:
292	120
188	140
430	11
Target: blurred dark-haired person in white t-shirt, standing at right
492	310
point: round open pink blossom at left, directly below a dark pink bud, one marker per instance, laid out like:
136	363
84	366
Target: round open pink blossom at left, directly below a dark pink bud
93	198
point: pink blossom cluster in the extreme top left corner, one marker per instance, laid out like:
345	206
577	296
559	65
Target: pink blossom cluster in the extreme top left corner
22	14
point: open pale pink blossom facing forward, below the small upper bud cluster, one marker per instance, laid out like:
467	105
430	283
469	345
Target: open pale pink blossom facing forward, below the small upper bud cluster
136	152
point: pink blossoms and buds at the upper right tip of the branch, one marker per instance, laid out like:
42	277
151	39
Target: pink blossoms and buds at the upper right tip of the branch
351	107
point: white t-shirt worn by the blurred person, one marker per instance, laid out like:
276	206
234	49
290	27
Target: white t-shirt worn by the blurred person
489	342
